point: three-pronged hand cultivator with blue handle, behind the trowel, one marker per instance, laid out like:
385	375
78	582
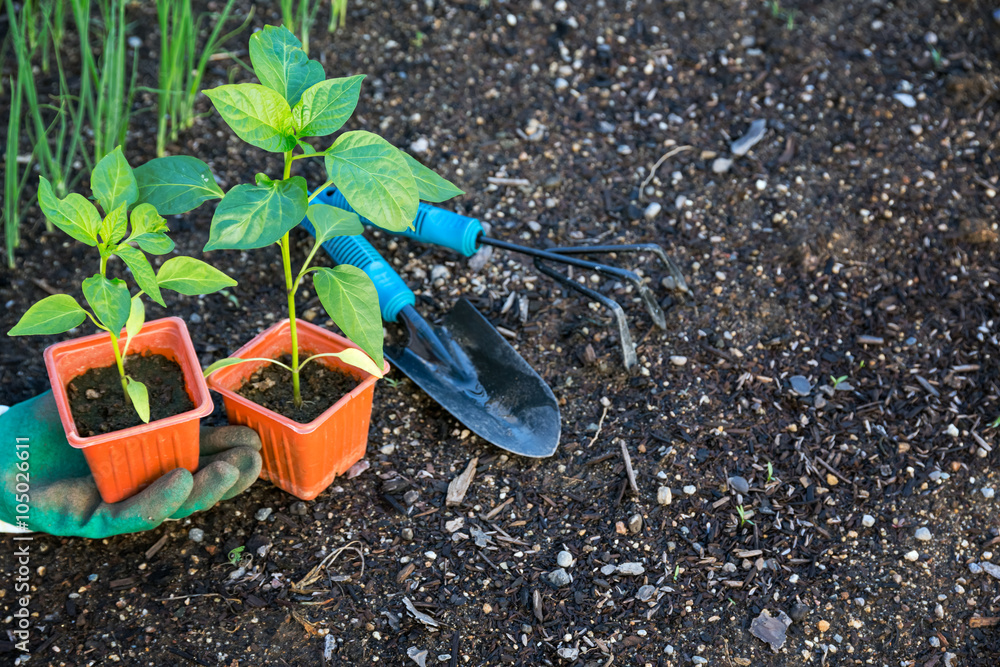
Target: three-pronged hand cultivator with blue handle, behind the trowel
466	236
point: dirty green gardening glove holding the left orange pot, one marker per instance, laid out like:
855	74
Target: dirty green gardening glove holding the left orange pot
63	497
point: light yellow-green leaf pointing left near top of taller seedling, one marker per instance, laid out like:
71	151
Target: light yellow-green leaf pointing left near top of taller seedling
257	114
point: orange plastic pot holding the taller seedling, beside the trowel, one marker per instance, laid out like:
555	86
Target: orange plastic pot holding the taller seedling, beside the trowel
302	459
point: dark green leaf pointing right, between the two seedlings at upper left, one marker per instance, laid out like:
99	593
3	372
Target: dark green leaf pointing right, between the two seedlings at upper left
176	184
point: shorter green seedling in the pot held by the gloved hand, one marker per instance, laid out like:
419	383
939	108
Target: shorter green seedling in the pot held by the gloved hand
130	228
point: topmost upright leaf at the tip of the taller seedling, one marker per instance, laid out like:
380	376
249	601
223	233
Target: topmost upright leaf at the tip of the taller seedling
281	64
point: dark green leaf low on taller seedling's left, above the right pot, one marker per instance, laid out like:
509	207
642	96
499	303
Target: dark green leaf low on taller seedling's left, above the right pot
253	216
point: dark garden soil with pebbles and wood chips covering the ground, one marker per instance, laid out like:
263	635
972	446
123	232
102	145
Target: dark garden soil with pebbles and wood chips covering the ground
855	246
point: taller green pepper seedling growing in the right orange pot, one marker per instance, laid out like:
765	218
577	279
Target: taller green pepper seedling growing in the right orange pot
294	101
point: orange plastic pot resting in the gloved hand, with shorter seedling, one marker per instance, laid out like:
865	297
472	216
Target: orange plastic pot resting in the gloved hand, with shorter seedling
125	462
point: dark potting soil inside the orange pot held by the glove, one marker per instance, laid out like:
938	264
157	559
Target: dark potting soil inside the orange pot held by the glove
97	400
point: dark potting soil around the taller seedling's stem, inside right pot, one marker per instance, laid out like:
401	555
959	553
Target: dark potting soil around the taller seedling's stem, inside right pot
321	387
